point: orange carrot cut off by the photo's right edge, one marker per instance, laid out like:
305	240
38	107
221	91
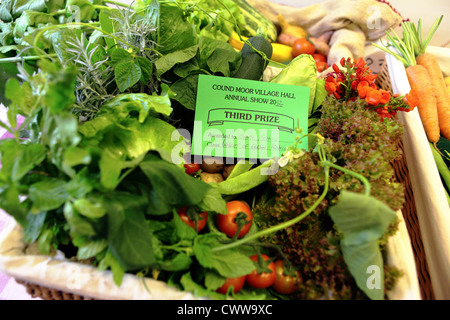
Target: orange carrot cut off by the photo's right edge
431	64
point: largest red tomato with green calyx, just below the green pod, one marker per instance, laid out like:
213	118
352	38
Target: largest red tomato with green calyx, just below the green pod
228	224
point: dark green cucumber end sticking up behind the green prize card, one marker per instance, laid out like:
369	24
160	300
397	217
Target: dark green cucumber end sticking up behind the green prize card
253	64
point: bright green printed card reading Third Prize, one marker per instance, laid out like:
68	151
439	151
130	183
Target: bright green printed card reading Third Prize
246	119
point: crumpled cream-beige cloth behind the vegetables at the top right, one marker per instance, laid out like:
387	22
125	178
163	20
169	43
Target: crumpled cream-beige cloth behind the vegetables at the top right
354	22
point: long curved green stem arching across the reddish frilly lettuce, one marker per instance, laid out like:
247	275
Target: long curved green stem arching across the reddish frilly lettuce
283	225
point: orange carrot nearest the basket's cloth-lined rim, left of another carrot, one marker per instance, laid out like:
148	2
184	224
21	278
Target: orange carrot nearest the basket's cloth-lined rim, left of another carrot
420	82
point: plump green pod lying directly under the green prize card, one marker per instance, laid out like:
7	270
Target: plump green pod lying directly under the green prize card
248	180
